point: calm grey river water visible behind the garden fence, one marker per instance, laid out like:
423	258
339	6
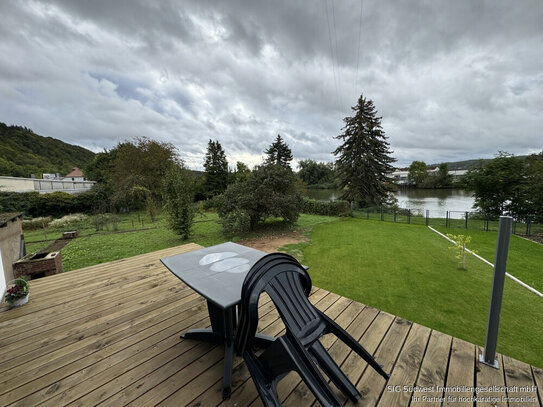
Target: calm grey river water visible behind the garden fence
418	200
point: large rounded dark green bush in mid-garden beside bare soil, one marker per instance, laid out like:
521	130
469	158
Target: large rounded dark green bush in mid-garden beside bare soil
270	190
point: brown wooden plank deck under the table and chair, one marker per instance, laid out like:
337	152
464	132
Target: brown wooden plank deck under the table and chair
109	335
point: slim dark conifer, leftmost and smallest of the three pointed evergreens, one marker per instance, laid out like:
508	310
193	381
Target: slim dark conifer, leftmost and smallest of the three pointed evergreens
216	169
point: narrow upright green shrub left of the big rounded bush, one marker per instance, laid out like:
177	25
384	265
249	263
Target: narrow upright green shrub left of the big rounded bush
178	195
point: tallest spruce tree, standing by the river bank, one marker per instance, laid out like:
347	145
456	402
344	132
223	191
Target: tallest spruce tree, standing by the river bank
364	159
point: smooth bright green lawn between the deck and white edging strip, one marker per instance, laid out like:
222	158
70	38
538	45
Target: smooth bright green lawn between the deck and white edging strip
409	271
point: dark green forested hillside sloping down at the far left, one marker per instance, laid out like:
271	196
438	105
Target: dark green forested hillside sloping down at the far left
23	152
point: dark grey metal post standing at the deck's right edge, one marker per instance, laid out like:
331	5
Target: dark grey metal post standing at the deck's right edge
502	247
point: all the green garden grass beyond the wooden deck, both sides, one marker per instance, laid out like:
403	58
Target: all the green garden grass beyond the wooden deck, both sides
406	270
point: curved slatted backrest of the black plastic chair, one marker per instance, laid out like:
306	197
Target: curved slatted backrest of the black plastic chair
288	284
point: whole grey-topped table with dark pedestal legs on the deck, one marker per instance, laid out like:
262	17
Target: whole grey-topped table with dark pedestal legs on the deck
217	273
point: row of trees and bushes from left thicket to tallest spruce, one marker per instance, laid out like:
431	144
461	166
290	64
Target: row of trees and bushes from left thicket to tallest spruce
145	174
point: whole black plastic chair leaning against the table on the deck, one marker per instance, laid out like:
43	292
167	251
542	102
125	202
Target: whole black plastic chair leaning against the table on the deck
288	284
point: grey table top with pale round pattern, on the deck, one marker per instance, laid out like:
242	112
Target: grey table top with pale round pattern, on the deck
215	272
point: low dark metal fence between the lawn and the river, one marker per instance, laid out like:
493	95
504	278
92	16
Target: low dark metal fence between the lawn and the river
450	219
